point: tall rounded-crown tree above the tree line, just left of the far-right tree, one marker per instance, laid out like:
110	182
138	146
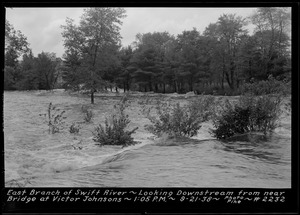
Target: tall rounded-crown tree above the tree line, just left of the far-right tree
227	35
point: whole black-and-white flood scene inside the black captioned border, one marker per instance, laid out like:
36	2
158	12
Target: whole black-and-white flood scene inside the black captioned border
147	97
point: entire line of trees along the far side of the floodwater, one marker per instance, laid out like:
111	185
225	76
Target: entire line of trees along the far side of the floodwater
223	56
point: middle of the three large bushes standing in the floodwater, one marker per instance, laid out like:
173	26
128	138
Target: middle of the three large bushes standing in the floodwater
180	121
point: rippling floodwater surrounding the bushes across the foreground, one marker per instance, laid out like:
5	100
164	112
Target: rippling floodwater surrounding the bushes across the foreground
35	158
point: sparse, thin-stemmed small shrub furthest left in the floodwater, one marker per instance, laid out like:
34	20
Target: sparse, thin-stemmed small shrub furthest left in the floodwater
54	118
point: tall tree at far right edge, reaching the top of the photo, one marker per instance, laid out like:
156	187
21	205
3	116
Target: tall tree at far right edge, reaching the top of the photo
272	40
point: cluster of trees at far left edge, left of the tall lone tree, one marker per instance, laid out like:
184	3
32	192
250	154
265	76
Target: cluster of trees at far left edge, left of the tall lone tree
30	73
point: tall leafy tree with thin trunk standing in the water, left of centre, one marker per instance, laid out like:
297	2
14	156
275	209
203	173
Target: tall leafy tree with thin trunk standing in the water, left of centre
97	30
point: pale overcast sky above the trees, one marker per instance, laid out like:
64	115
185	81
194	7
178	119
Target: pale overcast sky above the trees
41	26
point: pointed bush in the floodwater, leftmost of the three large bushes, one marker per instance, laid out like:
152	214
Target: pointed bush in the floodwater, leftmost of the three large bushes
113	132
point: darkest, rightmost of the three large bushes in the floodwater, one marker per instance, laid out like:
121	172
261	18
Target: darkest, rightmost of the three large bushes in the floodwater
250	114
